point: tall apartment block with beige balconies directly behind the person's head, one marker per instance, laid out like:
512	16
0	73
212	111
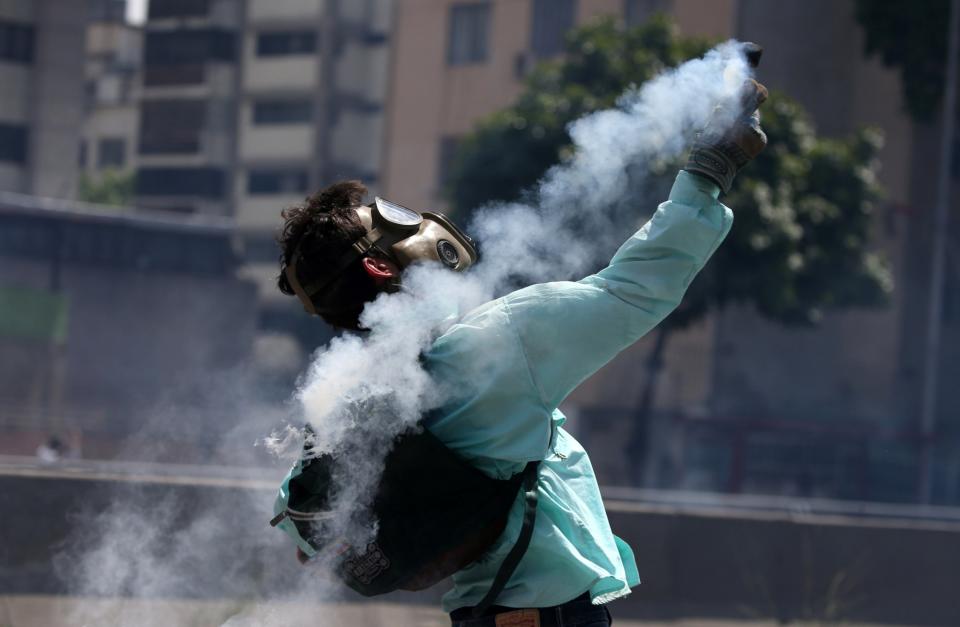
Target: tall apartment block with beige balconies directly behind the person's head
248	104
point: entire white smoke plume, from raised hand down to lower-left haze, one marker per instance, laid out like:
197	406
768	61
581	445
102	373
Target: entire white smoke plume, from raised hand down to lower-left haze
360	391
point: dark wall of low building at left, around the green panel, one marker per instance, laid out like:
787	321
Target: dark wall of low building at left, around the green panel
136	342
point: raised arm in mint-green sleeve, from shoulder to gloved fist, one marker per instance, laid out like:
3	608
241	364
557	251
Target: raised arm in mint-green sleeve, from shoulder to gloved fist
508	364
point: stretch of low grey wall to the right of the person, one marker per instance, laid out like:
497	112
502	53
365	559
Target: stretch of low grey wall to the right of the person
791	567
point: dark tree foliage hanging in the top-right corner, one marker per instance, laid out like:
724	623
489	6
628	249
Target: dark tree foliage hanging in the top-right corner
913	38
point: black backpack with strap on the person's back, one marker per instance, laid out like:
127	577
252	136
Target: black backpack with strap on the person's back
436	514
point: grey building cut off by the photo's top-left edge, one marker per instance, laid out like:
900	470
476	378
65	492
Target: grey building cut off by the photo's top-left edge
41	111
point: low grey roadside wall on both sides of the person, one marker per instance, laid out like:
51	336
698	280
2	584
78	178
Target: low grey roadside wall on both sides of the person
762	565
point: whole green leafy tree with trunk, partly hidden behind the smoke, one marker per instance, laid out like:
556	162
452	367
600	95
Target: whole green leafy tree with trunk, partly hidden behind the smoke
804	207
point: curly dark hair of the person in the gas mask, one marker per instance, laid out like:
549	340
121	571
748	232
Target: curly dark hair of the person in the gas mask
324	227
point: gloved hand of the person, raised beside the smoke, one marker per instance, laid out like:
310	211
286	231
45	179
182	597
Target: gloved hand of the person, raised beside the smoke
718	152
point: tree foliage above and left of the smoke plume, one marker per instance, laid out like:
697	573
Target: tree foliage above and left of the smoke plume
510	151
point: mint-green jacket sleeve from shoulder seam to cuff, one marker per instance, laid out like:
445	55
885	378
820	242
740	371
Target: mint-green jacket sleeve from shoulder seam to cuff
568	330
